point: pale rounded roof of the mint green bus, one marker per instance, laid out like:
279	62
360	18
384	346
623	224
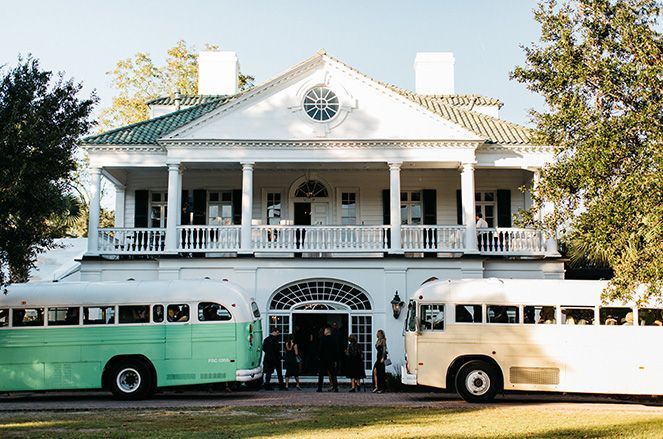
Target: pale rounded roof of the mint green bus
127	293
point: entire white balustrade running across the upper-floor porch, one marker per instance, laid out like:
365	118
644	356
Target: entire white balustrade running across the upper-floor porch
322	239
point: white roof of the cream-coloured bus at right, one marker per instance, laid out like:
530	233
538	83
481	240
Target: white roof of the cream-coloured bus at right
517	291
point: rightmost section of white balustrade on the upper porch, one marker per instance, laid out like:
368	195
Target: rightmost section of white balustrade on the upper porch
511	242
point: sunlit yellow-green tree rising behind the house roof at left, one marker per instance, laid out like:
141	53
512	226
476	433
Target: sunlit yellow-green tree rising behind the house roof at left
138	80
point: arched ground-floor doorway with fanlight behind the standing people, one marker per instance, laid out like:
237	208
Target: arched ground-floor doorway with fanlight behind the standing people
304	307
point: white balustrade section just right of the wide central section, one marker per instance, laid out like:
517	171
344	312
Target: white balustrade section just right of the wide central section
433	238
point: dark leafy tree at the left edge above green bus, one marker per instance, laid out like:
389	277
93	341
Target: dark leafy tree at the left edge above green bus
41	119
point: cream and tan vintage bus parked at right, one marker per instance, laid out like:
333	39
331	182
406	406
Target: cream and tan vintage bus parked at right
483	336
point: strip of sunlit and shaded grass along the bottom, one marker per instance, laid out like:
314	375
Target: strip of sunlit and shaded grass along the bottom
506	421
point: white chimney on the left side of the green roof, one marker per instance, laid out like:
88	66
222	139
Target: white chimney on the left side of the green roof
217	73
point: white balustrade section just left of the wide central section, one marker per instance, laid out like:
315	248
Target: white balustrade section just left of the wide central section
208	238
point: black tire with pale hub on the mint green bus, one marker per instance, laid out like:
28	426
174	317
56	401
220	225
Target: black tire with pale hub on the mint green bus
131	379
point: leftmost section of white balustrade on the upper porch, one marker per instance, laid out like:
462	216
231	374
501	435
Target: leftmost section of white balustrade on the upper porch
131	241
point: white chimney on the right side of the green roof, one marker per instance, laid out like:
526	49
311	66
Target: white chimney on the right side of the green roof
434	73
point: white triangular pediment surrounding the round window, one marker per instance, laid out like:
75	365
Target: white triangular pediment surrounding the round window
366	110
